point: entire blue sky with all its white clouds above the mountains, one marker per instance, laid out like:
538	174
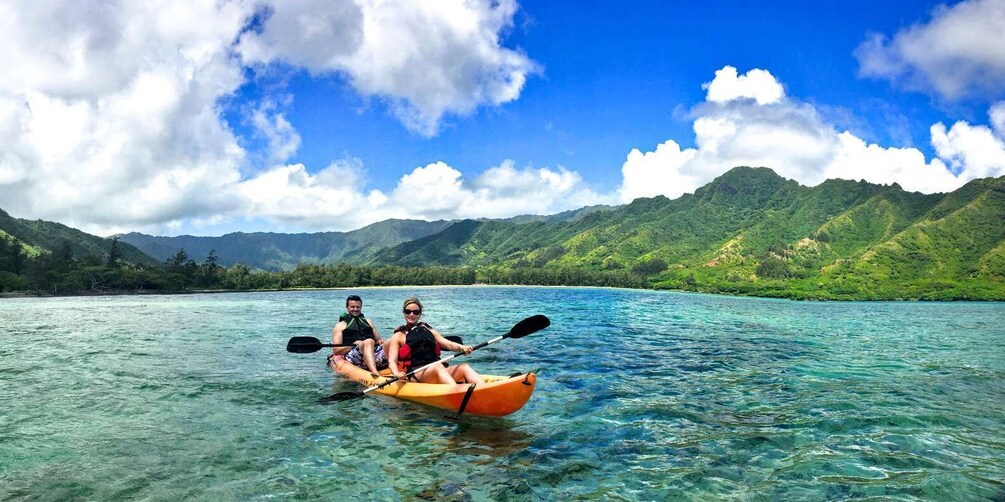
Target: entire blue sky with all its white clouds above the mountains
211	117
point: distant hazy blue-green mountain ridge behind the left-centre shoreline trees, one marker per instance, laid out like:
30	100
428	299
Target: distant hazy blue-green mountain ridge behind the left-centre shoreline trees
275	252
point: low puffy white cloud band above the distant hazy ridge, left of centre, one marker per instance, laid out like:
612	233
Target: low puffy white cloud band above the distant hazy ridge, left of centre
335	198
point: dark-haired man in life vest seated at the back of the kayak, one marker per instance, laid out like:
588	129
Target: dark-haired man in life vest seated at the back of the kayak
369	351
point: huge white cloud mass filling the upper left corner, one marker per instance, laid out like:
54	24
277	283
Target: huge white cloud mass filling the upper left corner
108	111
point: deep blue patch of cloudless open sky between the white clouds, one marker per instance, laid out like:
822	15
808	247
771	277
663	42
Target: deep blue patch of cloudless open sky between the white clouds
618	76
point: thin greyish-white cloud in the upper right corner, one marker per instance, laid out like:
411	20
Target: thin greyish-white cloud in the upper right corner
955	55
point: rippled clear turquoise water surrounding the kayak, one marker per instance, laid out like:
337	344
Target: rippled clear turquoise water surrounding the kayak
643	396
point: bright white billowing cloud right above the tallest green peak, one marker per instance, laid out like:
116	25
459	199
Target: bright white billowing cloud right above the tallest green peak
740	125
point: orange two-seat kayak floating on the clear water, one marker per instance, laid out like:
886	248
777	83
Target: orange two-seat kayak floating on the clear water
498	397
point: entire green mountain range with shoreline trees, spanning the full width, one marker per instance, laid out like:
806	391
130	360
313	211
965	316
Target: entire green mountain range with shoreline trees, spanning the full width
748	232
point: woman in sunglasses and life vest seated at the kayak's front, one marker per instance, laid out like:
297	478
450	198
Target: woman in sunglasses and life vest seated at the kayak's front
417	345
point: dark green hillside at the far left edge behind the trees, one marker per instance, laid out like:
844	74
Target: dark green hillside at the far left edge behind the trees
39	236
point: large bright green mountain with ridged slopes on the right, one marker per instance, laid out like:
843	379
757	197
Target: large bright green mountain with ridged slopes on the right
753	232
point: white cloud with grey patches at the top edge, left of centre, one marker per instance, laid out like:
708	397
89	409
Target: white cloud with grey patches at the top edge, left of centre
427	60
